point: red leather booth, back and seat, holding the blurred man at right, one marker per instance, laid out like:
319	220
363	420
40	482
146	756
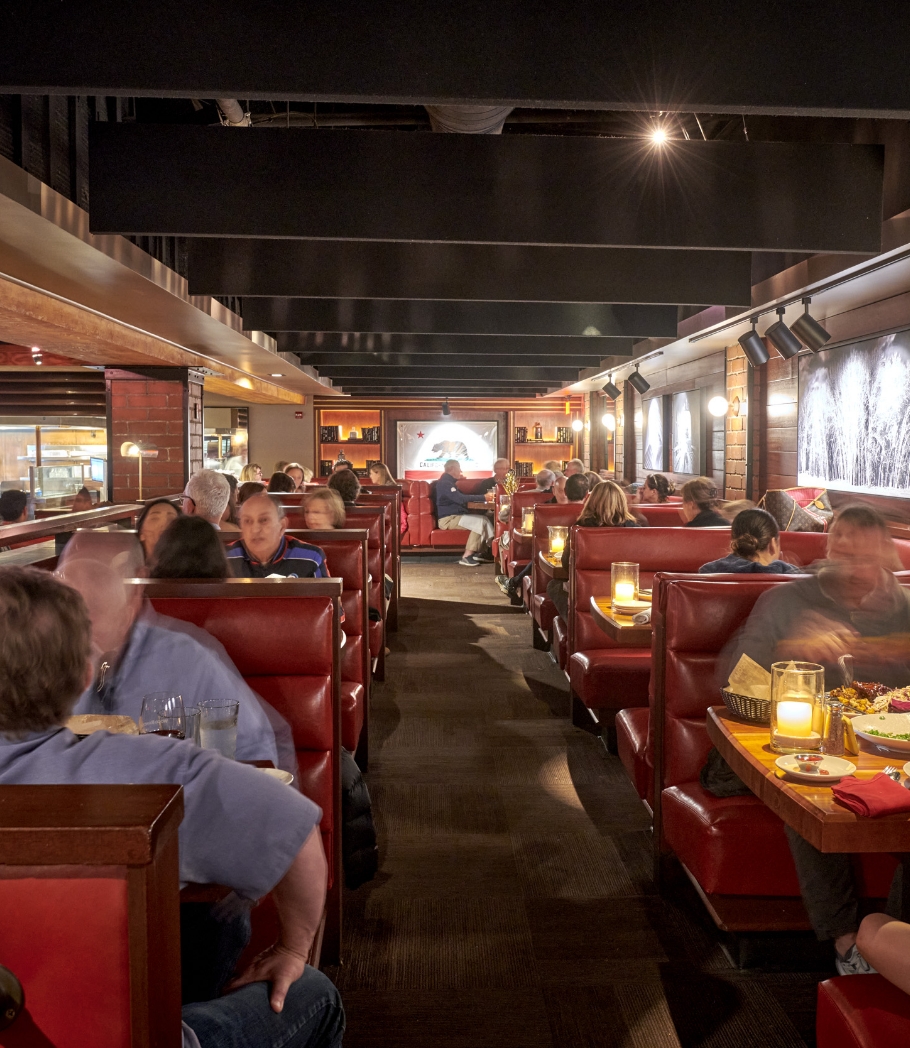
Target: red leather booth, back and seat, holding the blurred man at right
733	849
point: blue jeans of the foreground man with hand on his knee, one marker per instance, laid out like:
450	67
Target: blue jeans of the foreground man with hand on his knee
313	1017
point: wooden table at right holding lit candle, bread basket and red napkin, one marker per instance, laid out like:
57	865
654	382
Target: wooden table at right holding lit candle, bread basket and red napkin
811	811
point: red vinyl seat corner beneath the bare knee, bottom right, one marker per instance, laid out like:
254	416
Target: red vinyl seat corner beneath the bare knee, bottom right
862	1012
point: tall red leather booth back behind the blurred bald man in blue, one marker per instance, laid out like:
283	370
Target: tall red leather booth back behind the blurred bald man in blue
261	624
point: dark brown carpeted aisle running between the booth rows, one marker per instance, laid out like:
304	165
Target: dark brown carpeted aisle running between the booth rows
514	907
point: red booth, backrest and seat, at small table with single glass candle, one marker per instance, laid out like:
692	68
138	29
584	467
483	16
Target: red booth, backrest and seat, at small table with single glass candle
604	676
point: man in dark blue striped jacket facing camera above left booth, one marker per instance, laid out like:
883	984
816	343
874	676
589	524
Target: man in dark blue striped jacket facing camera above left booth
264	550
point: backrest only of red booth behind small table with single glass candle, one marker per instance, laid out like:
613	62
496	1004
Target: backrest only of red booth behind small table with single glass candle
594	550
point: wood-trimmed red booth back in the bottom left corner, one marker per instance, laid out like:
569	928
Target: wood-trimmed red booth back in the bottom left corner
90	914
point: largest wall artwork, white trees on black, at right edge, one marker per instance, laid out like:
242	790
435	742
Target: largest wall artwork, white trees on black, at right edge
854	428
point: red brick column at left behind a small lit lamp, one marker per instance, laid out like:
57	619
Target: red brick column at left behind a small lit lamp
161	406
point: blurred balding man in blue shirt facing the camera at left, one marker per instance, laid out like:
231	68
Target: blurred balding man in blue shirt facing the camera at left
138	652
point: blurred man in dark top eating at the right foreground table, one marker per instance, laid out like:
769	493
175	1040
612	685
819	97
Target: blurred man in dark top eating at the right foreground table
852	606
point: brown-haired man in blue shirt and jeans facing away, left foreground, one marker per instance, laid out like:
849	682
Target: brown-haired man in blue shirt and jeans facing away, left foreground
241	828
